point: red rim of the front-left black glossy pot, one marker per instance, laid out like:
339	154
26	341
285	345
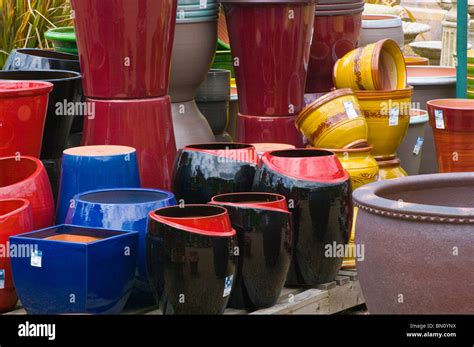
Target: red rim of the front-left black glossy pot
164	220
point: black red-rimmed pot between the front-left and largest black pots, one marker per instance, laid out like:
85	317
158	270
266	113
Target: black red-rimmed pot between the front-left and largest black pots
264	236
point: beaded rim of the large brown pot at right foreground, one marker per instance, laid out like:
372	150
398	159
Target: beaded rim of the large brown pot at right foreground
368	198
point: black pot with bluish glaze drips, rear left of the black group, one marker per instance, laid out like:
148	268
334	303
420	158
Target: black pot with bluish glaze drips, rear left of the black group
203	171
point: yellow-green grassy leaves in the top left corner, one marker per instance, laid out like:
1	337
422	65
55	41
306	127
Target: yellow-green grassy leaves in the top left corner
23	23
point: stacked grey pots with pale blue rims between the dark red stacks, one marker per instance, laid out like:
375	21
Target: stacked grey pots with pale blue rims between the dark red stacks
193	50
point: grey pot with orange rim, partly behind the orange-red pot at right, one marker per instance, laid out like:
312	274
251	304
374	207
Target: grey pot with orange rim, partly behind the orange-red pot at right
431	83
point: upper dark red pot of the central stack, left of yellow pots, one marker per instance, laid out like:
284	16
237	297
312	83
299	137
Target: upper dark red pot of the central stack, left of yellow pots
270	43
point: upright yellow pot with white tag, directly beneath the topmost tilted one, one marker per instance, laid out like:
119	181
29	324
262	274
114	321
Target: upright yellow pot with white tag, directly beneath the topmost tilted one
387	114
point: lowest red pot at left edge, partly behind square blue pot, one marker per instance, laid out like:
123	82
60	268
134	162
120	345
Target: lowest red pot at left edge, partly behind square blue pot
15	218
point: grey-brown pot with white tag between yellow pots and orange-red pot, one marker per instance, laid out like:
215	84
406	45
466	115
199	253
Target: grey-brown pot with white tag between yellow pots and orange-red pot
411	149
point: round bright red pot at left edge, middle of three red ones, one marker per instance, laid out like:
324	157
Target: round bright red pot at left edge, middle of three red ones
26	177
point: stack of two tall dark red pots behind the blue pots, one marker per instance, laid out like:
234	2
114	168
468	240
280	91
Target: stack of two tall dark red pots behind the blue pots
125	78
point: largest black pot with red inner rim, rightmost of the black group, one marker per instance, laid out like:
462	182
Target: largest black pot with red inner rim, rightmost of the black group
318	191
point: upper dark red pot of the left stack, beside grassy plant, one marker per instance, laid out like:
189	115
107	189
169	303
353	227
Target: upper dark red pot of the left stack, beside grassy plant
125	46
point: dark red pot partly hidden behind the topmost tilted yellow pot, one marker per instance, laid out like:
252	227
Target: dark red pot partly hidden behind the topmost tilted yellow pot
335	34
